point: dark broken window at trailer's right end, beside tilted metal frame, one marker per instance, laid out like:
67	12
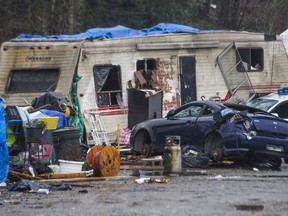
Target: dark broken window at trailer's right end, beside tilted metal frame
252	59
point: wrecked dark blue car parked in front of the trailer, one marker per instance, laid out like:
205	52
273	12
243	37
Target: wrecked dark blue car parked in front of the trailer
221	130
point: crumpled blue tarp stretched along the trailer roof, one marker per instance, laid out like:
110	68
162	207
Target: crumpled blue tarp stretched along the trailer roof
120	32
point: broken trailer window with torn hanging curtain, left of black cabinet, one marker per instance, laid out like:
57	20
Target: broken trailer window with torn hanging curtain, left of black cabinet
107	79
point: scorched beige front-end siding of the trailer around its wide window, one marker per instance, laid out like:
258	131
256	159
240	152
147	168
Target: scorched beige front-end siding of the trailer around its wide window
38	55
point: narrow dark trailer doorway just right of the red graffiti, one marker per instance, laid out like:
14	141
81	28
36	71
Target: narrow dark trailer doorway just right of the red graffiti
187	79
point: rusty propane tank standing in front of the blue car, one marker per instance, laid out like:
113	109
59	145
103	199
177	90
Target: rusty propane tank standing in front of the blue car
172	155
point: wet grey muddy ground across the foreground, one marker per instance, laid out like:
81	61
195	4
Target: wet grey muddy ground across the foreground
219	190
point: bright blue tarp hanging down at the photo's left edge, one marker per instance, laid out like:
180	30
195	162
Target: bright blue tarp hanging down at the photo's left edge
4	154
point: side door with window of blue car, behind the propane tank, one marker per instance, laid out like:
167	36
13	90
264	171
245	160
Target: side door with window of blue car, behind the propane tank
182	124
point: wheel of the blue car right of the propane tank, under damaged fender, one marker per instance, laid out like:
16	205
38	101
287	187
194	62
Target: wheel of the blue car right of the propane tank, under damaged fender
214	147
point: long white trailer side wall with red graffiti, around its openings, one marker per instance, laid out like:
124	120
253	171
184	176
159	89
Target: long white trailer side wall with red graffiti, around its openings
166	50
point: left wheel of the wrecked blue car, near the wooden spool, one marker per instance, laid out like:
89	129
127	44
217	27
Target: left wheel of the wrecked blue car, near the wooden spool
142	143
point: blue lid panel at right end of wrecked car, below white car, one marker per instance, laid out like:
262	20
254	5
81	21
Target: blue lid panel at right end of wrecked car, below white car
270	125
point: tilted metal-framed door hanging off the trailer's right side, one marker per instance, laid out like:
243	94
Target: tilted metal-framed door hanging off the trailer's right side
238	83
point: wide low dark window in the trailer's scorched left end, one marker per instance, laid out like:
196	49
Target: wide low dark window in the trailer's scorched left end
33	80
